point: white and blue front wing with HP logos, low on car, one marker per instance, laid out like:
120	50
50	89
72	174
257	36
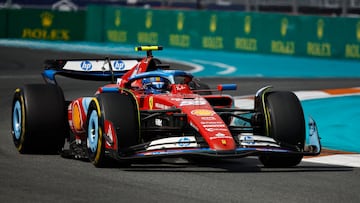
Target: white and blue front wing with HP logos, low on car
250	145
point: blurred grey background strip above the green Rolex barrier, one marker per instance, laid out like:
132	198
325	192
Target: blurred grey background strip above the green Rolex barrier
317	7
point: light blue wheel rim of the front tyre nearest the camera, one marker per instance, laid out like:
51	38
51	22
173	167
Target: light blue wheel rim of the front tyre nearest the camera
93	131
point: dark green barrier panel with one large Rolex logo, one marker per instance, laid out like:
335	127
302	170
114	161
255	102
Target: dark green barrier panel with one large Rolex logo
45	24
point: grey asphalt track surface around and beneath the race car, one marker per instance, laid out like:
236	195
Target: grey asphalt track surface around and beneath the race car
50	178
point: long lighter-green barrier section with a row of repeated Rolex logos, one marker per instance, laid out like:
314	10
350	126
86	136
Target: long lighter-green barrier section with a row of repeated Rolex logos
314	36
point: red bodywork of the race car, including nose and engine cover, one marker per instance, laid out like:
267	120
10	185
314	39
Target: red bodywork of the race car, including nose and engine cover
199	111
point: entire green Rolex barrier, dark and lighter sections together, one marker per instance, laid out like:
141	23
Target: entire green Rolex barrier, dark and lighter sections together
310	36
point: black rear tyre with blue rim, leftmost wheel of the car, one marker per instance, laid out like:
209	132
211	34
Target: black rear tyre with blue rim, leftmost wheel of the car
39	123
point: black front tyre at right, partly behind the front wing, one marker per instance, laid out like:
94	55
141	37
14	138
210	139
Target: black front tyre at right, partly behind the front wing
285	123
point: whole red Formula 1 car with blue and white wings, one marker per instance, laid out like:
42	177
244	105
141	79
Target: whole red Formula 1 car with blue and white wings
149	111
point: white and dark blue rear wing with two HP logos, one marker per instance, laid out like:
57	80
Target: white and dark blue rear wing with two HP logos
88	69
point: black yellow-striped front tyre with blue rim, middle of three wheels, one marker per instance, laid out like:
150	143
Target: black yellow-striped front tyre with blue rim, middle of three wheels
122	112
